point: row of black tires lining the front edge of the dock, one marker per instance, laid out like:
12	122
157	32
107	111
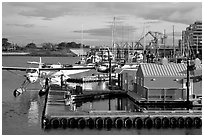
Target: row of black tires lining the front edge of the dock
120	122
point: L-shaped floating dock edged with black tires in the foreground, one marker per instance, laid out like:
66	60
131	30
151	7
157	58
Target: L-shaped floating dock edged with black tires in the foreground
57	115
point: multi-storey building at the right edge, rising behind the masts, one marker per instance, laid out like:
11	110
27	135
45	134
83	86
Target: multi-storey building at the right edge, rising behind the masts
192	38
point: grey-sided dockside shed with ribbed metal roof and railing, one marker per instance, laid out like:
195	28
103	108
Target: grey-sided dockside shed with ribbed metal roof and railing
167	81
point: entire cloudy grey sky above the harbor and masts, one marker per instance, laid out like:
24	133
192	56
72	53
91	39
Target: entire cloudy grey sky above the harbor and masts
91	23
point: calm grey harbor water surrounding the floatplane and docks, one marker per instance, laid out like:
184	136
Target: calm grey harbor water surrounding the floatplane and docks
22	115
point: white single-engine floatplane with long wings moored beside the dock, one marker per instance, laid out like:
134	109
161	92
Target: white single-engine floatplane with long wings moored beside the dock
45	74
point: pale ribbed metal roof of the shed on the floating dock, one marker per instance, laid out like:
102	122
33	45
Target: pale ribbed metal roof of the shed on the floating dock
171	69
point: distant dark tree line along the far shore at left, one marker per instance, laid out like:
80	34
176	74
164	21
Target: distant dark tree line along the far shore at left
7	46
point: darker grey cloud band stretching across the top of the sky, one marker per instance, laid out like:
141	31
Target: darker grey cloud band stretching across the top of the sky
183	12
